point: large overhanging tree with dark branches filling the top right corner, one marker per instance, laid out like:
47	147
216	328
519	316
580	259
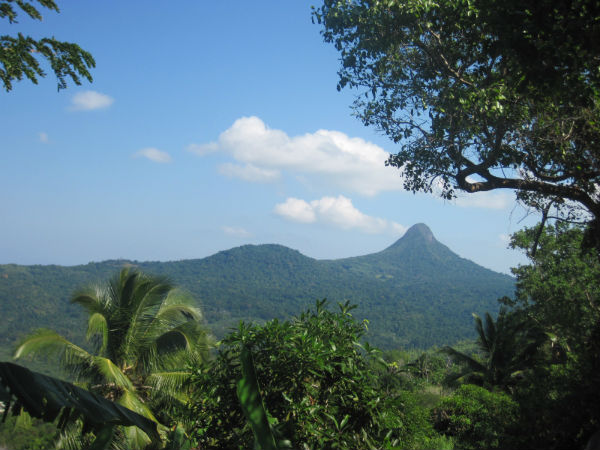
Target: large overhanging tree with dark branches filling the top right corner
481	94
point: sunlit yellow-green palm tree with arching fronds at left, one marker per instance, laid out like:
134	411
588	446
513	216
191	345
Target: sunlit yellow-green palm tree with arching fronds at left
141	332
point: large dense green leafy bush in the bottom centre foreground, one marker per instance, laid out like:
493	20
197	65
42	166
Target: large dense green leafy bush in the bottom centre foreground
316	386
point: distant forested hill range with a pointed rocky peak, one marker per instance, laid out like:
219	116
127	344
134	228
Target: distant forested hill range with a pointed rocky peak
415	293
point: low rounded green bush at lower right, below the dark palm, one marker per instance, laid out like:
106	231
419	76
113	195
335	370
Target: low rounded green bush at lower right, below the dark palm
477	418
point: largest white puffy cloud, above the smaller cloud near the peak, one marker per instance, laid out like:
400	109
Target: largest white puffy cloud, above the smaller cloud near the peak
262	153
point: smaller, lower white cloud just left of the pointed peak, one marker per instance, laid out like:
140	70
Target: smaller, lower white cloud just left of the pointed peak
338	212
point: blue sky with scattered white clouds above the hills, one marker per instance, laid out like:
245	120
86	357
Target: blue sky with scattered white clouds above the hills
210	125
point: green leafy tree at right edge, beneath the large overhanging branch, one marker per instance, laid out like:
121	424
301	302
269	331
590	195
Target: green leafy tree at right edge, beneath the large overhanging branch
560	288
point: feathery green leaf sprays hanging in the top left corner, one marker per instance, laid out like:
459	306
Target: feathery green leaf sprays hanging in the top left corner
19	54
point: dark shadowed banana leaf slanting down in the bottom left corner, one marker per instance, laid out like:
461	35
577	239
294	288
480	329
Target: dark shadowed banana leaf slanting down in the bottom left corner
47	398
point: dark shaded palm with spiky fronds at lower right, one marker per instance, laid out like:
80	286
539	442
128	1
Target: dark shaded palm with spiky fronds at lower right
508	348
